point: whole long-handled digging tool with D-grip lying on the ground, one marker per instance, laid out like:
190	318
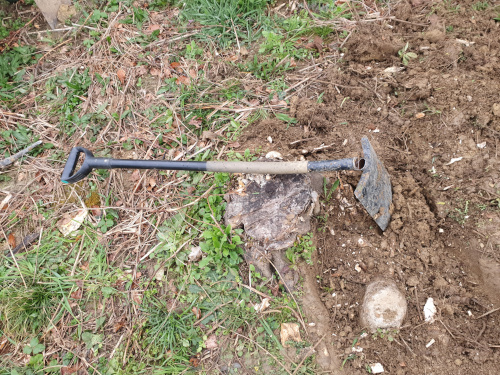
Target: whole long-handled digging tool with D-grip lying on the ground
373	191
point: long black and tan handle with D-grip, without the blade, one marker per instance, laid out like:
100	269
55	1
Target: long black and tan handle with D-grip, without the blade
294	167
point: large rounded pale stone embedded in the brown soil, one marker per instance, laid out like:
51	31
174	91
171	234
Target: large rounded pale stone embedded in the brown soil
384	306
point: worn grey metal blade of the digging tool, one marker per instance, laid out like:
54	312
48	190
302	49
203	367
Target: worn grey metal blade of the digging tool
374	189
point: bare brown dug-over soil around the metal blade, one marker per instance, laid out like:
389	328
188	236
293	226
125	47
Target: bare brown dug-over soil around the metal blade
444	240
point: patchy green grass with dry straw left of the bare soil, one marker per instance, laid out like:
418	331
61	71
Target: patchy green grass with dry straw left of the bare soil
122	287
